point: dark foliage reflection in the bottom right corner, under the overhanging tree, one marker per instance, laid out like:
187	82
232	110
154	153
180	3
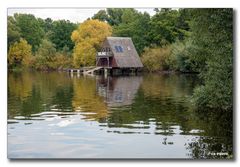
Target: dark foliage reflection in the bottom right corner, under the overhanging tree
217	141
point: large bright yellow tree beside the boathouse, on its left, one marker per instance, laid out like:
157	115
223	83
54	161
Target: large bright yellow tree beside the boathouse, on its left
88	38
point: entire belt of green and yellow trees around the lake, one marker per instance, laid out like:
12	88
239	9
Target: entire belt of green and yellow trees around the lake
185	40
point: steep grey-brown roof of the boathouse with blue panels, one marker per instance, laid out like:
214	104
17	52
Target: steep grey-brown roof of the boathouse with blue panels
128	57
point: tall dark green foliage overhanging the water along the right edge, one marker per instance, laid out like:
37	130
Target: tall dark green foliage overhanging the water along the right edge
213	33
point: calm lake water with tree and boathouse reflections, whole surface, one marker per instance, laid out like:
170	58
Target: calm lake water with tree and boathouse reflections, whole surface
57	115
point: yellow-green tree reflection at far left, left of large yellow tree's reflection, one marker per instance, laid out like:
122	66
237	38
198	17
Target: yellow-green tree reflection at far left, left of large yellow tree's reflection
34	92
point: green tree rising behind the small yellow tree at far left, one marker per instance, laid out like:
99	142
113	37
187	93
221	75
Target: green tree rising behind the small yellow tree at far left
30	29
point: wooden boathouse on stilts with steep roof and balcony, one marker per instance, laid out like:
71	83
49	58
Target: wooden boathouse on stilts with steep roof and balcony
118	55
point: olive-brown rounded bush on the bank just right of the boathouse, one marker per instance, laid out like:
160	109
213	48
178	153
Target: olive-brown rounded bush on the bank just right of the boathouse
155	59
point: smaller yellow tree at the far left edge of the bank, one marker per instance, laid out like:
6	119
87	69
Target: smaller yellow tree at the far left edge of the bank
20	53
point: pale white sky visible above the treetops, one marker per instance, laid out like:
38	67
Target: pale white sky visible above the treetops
75	15
